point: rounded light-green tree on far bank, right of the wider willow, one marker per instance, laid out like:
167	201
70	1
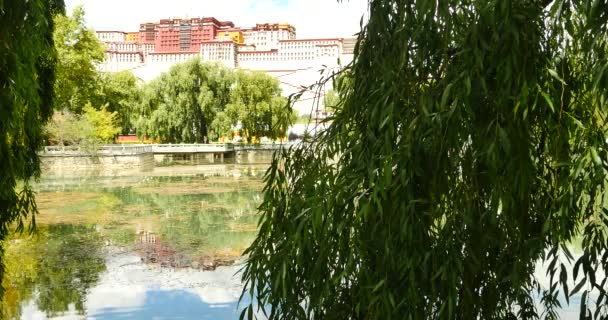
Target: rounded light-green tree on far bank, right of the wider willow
257	104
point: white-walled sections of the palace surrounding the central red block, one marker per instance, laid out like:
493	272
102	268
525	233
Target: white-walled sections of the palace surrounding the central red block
271	48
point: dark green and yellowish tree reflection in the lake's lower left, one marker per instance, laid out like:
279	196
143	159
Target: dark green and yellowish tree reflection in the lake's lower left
56	269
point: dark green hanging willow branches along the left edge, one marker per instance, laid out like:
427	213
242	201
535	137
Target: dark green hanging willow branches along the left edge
27	76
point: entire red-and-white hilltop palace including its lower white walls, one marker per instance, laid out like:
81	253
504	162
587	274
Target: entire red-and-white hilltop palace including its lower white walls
272	48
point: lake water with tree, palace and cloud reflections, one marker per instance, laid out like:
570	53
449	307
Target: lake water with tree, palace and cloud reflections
164	244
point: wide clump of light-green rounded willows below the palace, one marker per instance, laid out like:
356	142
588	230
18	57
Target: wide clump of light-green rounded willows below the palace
195	101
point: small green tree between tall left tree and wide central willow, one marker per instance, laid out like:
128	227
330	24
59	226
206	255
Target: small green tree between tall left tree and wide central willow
120	91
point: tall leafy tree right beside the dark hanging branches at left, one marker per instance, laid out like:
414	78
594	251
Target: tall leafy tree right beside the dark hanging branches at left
79	51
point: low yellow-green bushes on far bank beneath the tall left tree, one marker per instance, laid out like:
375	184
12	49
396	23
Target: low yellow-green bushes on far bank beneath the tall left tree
92	128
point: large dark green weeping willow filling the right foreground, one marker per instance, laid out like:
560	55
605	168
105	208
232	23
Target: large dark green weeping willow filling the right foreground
469	149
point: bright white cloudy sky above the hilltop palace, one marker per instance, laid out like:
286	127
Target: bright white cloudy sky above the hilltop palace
312	18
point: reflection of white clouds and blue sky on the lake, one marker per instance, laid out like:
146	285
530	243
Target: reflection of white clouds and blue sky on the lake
129	289
